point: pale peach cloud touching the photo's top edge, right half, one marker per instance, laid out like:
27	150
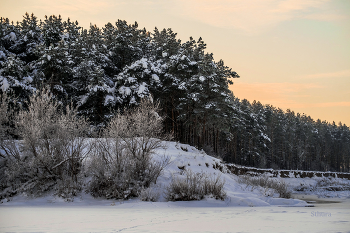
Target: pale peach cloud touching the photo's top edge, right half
254	16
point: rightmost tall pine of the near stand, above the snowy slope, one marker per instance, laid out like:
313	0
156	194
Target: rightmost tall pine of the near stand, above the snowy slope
207	106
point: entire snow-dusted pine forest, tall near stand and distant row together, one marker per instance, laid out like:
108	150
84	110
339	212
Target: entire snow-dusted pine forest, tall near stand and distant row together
105	70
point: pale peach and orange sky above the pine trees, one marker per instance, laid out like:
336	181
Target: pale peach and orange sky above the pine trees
292	54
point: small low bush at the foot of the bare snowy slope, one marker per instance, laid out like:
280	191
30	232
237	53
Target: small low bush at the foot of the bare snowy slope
195	186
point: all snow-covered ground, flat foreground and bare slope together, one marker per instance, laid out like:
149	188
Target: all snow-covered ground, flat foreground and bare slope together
243	210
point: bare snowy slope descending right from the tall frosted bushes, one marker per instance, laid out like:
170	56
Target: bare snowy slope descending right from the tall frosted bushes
198	161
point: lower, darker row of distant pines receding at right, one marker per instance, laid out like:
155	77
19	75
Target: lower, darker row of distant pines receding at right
267	137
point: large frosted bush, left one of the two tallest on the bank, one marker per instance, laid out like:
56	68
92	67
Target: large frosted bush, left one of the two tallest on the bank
52	148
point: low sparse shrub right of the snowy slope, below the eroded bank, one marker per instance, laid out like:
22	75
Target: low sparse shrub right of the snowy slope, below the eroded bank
266	184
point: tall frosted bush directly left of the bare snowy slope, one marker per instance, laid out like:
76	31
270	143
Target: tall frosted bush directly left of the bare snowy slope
122	164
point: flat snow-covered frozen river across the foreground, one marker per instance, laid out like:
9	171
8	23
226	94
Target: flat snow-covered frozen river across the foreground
175	217
